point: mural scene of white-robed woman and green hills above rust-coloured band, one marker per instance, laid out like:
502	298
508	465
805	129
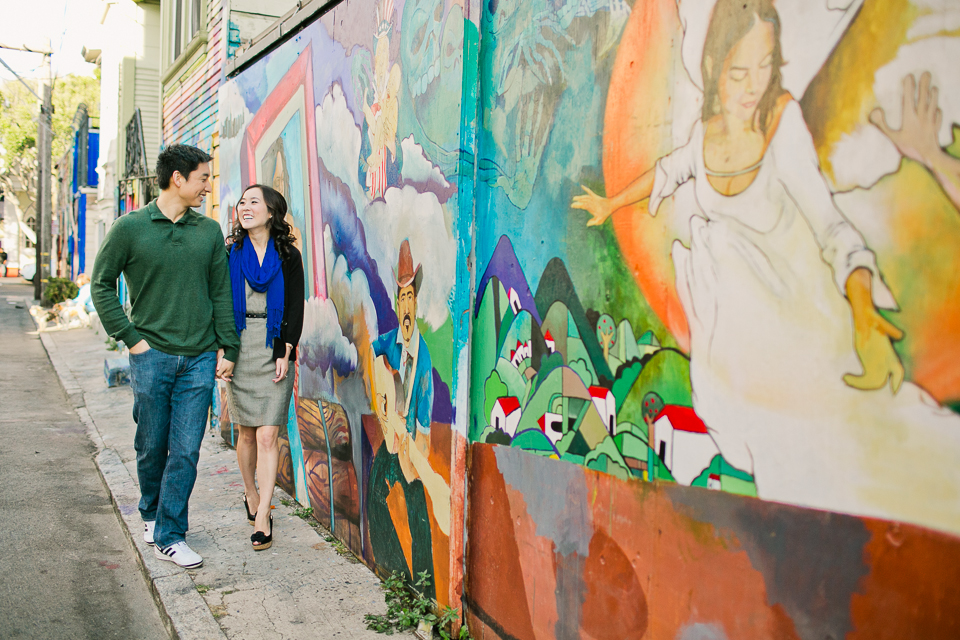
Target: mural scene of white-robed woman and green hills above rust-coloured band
750	319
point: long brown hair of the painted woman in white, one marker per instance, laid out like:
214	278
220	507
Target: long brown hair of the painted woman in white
730	22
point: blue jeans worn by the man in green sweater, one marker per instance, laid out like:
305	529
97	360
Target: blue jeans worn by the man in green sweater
171	398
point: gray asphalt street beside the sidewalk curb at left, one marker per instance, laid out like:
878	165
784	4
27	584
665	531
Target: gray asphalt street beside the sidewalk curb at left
67	570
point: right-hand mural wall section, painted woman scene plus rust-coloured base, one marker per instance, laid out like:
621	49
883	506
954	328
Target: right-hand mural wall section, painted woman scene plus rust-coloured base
716	250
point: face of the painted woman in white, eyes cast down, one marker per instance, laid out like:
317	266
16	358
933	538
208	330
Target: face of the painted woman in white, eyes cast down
746	72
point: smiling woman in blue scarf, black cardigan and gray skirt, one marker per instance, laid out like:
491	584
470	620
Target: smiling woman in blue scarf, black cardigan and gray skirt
266	272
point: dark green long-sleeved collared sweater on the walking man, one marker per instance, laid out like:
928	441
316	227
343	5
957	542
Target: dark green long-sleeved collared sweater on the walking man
179	283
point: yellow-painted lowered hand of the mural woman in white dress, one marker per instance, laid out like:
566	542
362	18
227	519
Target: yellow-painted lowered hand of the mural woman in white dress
873	336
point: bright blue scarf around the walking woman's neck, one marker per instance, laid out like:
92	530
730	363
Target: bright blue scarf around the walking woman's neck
244	266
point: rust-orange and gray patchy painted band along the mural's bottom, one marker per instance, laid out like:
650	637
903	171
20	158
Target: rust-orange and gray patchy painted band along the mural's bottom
590	556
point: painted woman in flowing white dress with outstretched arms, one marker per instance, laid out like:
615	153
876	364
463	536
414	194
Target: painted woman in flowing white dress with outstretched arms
782	294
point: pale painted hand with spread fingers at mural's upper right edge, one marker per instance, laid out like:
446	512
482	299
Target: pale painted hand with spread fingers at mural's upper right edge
917	136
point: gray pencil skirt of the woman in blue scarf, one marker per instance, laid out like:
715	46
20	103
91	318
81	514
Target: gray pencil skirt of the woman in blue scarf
253	398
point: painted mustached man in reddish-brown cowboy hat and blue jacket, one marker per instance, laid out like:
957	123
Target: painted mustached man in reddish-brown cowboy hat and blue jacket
406	352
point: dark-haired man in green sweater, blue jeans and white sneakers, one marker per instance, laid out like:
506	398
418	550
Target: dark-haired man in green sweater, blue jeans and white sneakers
175	266
